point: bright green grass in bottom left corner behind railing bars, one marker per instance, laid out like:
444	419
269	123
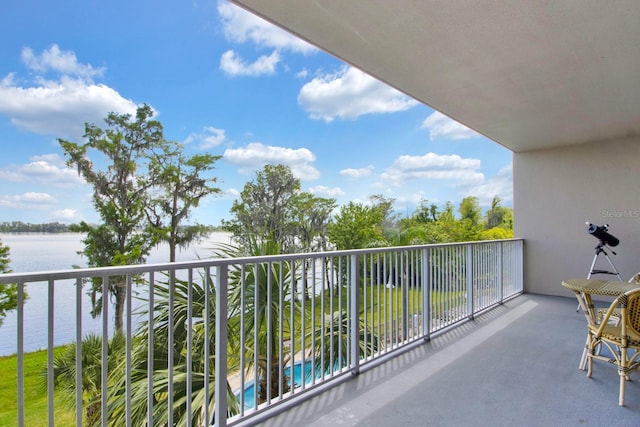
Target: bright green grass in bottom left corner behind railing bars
35	396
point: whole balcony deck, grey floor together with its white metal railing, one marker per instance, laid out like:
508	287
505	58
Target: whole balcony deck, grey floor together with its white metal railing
428	330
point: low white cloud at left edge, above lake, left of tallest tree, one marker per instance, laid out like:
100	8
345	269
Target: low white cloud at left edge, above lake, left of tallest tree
46	169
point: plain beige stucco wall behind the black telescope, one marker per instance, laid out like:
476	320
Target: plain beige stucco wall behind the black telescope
557	190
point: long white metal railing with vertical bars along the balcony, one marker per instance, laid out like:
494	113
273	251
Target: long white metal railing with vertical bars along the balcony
220	340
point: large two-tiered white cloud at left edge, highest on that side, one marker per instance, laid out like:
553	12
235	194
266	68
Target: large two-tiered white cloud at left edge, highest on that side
61	106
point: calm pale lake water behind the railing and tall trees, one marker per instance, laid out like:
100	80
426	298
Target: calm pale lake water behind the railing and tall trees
31	252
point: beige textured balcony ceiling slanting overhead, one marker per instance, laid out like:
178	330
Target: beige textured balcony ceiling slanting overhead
528	75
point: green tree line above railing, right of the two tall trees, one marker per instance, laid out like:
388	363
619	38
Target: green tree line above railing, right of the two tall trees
273	207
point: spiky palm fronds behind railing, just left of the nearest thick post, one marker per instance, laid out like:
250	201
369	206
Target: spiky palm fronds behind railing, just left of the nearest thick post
177	373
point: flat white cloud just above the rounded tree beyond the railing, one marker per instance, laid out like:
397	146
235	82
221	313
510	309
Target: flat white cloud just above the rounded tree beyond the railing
255	155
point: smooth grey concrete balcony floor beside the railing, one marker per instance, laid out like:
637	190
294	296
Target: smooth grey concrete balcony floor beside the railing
516	365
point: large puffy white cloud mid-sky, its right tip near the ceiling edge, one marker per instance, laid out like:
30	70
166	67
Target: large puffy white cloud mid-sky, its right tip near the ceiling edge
349	94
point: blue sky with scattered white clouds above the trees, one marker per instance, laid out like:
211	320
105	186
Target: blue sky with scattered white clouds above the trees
225	82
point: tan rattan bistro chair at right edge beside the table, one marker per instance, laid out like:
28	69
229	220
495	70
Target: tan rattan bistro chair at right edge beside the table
618	338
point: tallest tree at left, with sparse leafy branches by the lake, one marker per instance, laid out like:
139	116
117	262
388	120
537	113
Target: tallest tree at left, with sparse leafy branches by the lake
112	162
